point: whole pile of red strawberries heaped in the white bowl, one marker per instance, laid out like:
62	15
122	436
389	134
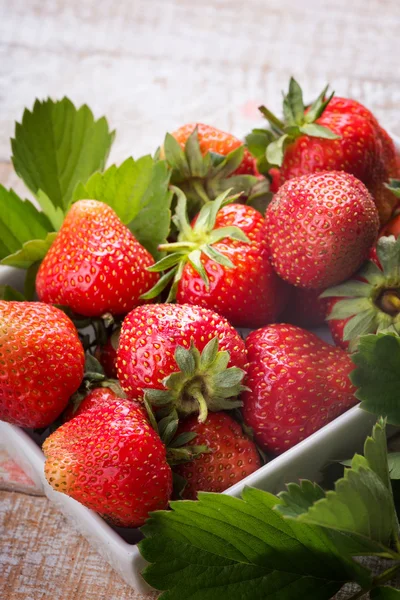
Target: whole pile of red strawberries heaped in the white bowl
167	398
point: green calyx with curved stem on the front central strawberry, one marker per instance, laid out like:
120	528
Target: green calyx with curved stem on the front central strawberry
204	382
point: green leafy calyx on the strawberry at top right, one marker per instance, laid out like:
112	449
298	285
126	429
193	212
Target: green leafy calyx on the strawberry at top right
298	120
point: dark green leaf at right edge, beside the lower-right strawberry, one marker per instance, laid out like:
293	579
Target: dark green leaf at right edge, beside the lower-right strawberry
377	375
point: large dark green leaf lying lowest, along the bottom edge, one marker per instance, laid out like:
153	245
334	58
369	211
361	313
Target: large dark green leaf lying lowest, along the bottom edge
241	549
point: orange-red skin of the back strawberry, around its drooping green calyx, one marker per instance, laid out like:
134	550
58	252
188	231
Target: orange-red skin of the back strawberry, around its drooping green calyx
212	139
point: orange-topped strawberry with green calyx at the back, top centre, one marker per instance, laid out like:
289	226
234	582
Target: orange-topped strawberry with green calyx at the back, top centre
205	162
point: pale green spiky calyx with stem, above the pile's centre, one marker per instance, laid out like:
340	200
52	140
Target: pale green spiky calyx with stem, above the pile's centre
192	243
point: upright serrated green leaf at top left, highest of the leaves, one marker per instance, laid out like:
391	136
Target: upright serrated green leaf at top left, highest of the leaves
57	145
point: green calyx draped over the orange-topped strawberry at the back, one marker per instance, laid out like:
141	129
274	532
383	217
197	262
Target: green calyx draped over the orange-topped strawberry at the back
203	178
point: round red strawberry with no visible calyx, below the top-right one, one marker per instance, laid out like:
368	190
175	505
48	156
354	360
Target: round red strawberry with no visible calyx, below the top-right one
320	227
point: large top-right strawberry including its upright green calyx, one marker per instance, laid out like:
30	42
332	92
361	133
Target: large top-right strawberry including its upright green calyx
334	134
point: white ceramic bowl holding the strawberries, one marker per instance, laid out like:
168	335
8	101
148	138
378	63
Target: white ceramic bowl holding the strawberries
339	439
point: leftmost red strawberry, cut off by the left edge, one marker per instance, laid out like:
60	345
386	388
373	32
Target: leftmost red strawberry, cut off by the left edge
41	363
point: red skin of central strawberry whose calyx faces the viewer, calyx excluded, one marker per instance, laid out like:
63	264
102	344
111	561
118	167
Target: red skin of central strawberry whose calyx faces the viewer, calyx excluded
150	335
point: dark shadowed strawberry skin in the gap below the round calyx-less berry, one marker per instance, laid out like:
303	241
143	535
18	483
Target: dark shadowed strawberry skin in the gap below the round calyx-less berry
305	308
